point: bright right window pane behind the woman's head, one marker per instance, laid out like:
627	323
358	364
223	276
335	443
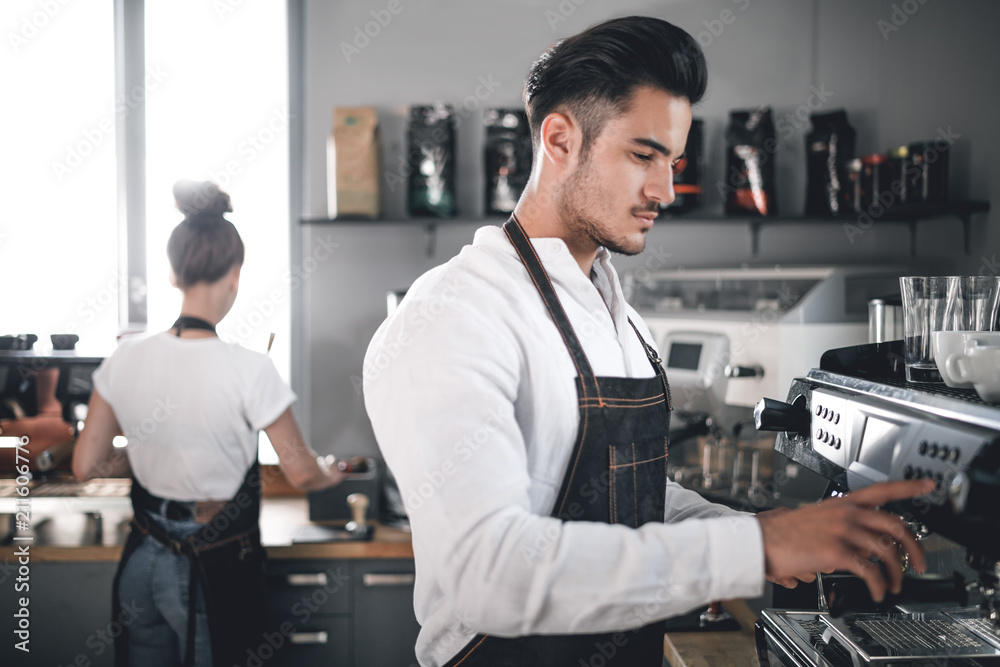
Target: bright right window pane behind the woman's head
219	112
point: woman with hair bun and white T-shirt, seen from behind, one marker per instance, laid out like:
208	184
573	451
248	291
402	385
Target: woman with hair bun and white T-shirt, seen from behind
191	406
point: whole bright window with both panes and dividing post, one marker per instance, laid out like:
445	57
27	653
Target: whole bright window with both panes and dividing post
215	95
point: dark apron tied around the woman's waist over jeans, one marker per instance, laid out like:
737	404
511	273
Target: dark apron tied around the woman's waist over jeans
228	560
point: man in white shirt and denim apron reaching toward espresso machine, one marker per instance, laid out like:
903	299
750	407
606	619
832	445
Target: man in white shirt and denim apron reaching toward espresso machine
521	405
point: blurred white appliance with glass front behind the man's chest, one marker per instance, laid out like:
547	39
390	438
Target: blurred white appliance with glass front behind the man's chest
777	321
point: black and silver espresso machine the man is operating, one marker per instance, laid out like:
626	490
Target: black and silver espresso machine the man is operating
856	421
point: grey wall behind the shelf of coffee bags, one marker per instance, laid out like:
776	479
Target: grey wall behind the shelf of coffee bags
939	69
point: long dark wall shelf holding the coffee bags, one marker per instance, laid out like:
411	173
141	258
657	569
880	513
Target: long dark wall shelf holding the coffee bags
908	215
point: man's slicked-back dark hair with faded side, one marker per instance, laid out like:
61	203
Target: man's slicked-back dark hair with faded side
593	74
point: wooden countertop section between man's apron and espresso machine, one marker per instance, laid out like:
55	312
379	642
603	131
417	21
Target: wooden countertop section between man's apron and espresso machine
715	649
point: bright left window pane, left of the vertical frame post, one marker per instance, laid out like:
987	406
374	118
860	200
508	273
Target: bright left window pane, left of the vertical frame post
59	228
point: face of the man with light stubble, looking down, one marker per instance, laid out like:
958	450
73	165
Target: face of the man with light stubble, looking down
613	196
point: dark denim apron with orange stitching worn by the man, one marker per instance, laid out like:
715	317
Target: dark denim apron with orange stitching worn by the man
617	473
